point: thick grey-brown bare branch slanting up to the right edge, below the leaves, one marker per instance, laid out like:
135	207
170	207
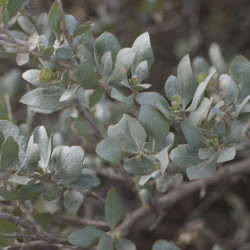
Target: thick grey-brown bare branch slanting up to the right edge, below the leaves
168	200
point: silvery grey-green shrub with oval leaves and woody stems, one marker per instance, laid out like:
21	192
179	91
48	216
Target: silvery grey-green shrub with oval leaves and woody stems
84	78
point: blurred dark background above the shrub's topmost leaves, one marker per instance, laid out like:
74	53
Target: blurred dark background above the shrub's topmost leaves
176	27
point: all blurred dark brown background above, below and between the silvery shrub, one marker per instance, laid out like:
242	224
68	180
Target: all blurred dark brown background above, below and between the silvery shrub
176	28
